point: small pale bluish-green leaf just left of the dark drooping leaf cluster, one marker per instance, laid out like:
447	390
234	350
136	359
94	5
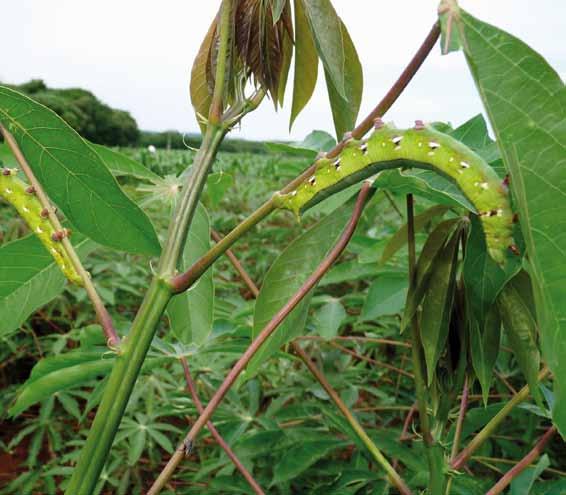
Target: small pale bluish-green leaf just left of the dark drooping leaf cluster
386	296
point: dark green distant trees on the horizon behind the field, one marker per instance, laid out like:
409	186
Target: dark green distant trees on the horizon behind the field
103	124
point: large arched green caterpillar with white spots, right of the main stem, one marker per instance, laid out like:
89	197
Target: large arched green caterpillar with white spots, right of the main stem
421	147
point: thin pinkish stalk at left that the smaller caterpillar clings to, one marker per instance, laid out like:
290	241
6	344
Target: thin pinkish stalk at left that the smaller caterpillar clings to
102	314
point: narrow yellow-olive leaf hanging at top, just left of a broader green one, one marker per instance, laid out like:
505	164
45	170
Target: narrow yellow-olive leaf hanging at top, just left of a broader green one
306	63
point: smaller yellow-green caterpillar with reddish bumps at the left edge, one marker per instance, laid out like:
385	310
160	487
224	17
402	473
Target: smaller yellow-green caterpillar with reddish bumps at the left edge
23	198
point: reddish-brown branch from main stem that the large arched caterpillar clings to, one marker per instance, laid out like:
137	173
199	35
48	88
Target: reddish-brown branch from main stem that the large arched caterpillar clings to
182	282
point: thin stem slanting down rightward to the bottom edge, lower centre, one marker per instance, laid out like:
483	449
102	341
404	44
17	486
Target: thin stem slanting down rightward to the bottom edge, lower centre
392	475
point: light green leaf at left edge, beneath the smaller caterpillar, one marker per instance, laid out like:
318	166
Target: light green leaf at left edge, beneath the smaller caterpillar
29	279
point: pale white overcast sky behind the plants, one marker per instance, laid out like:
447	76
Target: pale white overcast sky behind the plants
136	55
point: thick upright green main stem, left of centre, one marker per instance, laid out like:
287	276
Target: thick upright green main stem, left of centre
128	364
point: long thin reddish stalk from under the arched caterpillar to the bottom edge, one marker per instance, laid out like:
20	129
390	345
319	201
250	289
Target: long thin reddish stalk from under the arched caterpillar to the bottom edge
177	457
